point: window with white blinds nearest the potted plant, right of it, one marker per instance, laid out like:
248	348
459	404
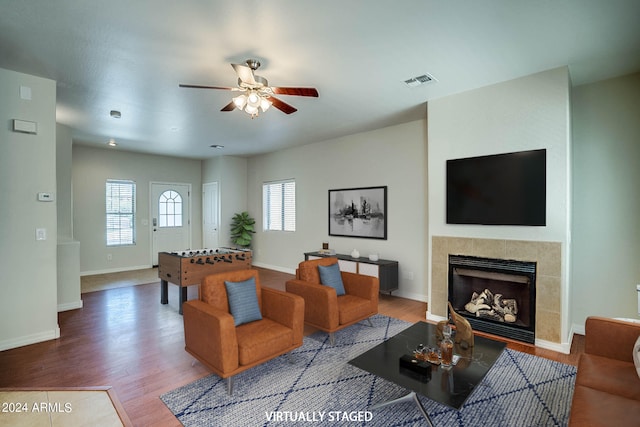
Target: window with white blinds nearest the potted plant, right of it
279	205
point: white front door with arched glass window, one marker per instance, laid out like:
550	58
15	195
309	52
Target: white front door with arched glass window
170	218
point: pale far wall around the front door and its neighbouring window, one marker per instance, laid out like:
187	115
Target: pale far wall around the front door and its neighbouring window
91	168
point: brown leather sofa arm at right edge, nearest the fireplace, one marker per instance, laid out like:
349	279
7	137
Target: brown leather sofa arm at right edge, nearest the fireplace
611	338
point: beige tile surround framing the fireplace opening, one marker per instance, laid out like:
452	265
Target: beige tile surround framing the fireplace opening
546	256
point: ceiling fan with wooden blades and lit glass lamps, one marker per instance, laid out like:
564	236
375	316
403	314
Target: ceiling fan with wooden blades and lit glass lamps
256	94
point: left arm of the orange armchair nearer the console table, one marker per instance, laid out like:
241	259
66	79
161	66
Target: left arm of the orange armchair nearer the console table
320	303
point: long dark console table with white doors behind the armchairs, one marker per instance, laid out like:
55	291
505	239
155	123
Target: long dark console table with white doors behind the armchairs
385	270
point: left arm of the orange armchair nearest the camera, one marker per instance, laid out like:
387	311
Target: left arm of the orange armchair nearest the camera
210	335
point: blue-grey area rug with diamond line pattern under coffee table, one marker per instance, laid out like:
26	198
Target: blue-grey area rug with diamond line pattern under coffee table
319	386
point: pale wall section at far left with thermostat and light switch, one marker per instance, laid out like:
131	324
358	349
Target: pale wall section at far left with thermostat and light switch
28	307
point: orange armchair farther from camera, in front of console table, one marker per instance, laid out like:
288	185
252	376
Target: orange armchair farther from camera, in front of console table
323	308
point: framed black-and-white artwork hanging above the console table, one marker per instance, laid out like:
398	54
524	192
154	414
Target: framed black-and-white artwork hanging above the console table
358	212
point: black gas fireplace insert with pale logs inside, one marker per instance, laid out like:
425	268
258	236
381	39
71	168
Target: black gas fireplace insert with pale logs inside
496	296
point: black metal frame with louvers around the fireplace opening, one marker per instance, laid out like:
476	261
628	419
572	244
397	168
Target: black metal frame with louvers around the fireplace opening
517	331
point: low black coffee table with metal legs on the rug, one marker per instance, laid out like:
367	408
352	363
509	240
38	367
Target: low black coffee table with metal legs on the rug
449	386
